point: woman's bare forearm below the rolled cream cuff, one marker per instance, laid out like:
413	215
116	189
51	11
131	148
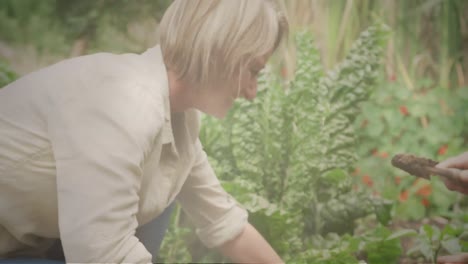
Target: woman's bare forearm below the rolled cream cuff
250	247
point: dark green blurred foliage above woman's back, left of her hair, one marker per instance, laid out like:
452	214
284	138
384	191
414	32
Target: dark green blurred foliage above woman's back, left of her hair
54	25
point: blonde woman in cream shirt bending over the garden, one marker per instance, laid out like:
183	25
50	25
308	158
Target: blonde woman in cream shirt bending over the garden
95	148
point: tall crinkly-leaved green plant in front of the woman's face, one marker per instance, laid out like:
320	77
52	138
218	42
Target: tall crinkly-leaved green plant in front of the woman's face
287	155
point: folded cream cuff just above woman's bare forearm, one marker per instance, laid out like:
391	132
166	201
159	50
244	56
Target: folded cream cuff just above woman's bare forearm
225	229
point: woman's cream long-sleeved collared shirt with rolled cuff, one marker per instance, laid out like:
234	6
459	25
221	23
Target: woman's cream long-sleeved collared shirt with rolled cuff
88	154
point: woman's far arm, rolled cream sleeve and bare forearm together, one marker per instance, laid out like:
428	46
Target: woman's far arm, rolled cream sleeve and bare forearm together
221	222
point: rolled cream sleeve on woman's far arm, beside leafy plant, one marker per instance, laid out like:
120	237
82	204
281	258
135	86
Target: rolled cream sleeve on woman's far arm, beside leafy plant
217	216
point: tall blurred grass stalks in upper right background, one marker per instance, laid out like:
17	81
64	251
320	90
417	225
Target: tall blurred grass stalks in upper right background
428	39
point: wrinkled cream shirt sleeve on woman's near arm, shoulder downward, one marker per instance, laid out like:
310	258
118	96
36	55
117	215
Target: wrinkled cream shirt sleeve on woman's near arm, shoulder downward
100	137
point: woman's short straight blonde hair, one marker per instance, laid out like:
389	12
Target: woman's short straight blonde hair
206	42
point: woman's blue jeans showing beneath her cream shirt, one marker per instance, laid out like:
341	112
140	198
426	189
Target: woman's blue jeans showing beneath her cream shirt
150	234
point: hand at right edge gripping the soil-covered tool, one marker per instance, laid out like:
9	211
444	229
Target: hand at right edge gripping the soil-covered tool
459	162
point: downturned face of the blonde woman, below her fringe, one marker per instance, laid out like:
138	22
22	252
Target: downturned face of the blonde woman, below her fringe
218	100
